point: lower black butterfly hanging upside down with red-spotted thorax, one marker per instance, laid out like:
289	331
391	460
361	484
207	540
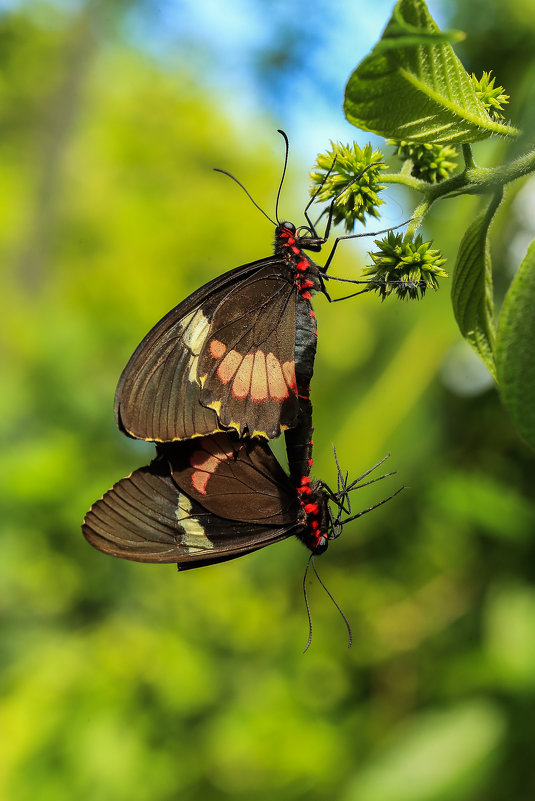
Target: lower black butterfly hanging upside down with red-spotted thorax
212	499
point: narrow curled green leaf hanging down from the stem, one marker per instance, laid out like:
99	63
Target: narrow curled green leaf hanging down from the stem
471	289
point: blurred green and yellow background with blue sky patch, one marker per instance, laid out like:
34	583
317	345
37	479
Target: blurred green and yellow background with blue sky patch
129	681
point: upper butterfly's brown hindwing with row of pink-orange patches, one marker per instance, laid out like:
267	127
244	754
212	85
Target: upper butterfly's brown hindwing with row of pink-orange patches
247	362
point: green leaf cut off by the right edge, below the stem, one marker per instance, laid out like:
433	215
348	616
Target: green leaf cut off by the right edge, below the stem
515	349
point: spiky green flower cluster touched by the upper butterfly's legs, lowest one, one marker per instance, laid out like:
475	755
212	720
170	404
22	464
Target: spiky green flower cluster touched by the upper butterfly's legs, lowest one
406	268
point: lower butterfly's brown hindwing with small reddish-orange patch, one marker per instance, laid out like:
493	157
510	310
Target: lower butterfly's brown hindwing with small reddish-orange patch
238	479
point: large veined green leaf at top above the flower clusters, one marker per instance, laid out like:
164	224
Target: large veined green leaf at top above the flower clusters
413	86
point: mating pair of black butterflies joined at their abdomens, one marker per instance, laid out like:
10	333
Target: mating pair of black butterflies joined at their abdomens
227	368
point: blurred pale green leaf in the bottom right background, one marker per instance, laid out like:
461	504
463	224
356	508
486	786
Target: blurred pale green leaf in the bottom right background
440	756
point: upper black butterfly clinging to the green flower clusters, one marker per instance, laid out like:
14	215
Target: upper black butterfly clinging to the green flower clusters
236	354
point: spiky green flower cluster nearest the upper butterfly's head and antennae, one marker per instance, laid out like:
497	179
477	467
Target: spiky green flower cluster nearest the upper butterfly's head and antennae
337	169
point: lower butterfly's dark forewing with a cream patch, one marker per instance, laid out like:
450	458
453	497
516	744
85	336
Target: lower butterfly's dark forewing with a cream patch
147	518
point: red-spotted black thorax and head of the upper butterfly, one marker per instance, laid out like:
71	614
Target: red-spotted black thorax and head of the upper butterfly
290	246
